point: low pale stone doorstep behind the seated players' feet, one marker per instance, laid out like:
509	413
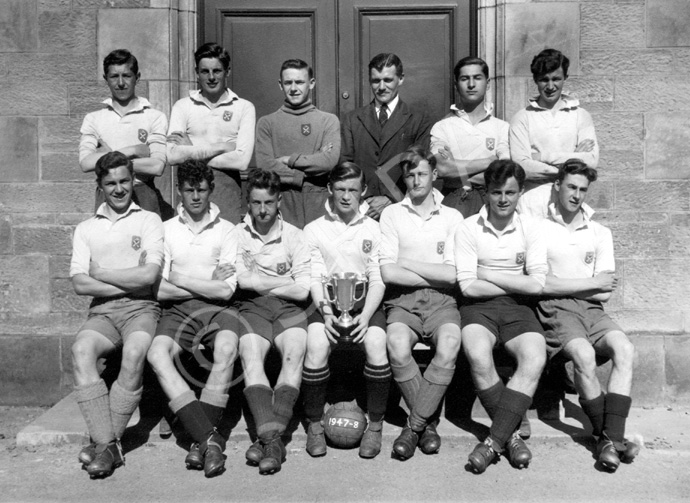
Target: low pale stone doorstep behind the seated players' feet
63	423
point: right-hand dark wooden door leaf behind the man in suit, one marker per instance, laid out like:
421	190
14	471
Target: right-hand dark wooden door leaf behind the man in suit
429	37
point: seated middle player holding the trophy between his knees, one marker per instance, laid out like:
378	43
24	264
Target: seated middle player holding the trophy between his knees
344	247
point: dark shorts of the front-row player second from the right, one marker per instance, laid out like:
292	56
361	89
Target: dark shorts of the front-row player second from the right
506	317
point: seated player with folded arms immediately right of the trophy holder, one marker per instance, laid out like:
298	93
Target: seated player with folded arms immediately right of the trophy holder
418	268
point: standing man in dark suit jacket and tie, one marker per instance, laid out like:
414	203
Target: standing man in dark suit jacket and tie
374	135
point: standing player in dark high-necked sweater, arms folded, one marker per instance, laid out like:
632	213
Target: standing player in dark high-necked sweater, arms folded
301	144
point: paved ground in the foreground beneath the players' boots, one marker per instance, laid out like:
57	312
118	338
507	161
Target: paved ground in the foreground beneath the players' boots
563	469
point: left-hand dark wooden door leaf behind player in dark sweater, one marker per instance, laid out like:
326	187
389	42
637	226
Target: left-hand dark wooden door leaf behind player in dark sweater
261	34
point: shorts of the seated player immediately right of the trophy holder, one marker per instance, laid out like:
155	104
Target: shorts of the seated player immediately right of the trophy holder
424	310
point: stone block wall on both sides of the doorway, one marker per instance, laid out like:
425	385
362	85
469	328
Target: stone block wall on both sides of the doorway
629	67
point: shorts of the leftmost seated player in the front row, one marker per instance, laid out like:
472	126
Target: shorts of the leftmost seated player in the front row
117	319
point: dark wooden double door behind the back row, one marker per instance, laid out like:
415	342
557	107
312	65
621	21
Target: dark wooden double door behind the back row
338	38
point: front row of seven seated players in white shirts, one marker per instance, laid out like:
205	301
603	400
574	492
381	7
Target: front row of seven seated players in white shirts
528	286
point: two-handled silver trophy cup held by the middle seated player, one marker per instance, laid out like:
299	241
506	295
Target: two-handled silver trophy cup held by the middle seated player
340	289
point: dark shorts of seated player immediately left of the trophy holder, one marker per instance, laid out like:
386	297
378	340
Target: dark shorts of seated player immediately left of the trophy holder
270	316
